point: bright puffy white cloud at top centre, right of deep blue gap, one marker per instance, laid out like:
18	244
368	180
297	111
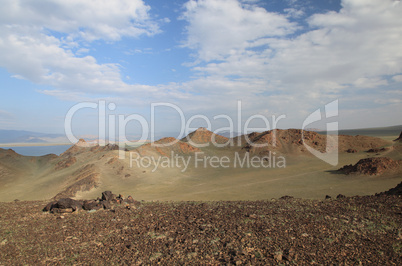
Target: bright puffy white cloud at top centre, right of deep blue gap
218	29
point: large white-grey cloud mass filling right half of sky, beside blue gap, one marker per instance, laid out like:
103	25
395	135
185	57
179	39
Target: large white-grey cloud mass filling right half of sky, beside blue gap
353	48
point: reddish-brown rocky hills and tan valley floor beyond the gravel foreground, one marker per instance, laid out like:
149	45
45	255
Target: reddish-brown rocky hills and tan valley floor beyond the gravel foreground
172	169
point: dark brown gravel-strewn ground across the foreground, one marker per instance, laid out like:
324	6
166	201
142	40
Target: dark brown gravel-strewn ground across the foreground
343	231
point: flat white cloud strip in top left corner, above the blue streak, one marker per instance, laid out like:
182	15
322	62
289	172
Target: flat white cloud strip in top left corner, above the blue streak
90	20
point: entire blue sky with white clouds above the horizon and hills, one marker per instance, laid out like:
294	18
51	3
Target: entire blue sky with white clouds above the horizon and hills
278	57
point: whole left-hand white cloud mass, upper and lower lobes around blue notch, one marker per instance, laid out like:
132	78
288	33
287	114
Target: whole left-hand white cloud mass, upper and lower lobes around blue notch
30	51
